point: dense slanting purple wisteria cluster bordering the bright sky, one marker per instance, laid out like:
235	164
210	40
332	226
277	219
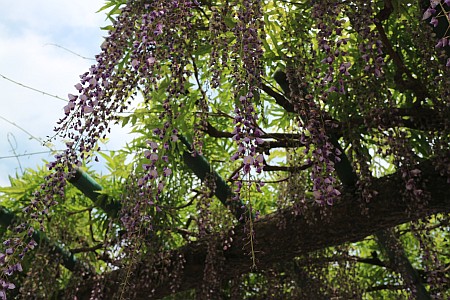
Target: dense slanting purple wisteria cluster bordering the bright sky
105	89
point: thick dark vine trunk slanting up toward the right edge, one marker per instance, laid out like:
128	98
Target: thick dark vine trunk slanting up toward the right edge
283	235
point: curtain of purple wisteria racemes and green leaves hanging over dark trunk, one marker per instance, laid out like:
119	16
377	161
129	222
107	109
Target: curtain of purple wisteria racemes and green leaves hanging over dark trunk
153	47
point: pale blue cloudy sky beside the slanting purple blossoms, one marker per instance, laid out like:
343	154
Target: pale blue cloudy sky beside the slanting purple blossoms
29	31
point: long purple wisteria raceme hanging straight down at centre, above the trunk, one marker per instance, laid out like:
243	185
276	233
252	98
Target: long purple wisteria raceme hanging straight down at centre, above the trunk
247	53
